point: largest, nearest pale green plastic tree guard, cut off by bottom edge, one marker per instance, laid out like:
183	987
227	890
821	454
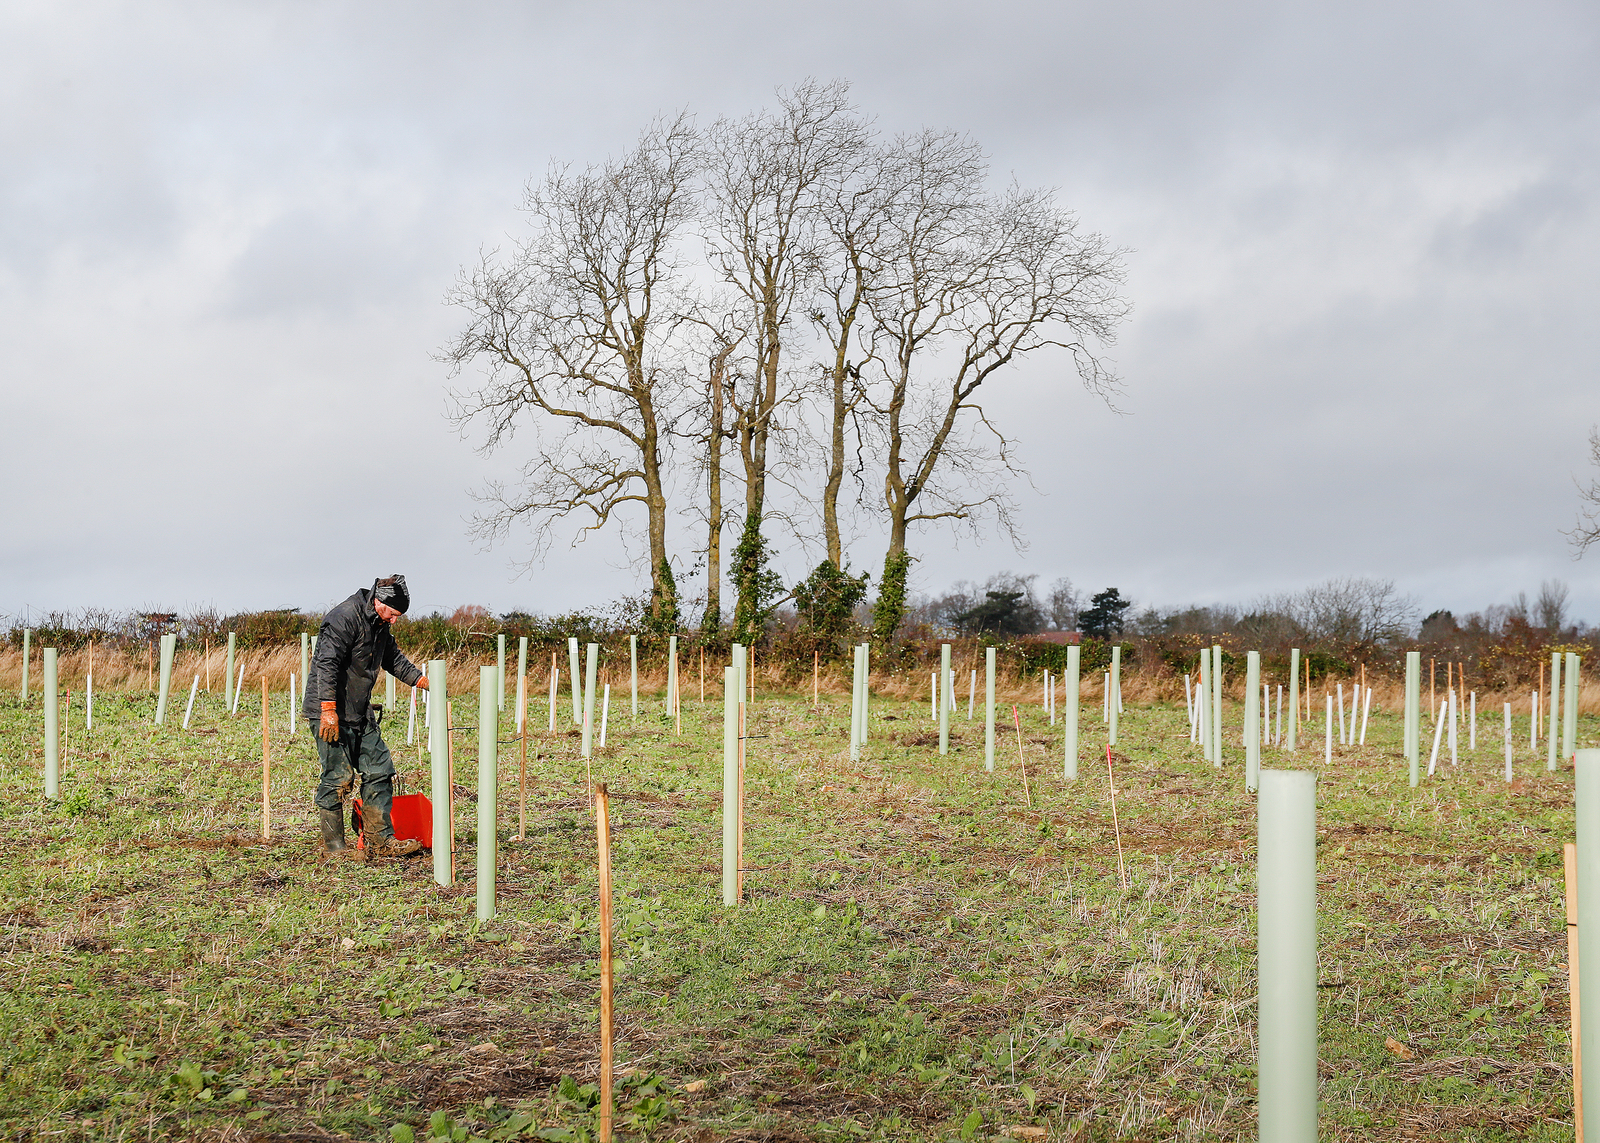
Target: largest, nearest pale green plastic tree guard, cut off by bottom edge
1287	957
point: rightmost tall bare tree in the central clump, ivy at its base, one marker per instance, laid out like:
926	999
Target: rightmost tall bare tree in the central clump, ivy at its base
975	283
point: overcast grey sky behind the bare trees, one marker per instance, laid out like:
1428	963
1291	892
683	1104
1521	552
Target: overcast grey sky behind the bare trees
1364	246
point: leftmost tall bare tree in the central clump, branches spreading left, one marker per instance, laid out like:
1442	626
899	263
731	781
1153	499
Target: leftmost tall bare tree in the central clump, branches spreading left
577	331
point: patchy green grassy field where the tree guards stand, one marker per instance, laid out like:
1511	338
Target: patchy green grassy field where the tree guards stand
921	957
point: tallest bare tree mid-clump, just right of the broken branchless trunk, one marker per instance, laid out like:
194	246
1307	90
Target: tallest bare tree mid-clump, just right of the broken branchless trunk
767	175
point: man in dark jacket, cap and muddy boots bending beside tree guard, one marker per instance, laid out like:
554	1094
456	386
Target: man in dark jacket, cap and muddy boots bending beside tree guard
353	646
